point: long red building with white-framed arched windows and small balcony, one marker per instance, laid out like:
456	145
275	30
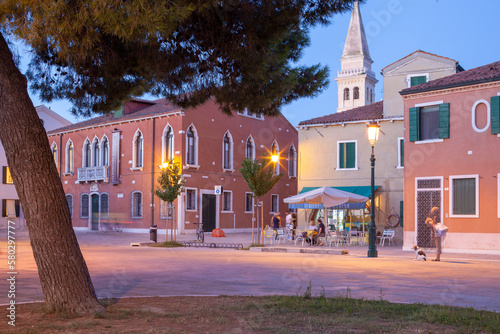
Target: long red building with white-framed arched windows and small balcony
109	165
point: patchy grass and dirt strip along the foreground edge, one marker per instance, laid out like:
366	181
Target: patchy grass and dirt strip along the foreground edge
270	314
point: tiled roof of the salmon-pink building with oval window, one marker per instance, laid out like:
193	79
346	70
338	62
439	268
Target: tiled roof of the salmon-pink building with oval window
486	73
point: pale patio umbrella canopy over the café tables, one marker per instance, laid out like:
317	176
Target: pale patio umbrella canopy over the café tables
327	196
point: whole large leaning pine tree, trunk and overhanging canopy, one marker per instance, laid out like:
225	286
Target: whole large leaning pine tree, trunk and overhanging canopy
99	53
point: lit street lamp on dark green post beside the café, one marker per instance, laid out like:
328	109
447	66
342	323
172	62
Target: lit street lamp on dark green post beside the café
373	132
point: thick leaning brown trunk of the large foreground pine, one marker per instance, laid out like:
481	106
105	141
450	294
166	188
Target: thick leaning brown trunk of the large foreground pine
64	275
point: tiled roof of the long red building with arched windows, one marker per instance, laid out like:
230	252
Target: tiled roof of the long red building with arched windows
158	107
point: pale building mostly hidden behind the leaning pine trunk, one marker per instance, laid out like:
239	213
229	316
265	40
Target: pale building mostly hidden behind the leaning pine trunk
9	201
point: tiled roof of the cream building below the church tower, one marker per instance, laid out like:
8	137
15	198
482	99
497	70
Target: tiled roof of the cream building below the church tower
369	112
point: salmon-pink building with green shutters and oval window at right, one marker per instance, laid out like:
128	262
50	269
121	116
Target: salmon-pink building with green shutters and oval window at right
452	131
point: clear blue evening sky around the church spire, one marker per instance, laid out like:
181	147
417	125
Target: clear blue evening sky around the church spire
463	30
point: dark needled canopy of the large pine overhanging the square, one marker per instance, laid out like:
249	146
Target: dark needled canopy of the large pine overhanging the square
100	53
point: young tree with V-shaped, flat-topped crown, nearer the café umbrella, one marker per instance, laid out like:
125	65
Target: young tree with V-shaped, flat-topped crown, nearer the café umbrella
260	179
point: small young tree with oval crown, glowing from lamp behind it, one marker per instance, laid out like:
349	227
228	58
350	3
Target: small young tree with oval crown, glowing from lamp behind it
171	185
